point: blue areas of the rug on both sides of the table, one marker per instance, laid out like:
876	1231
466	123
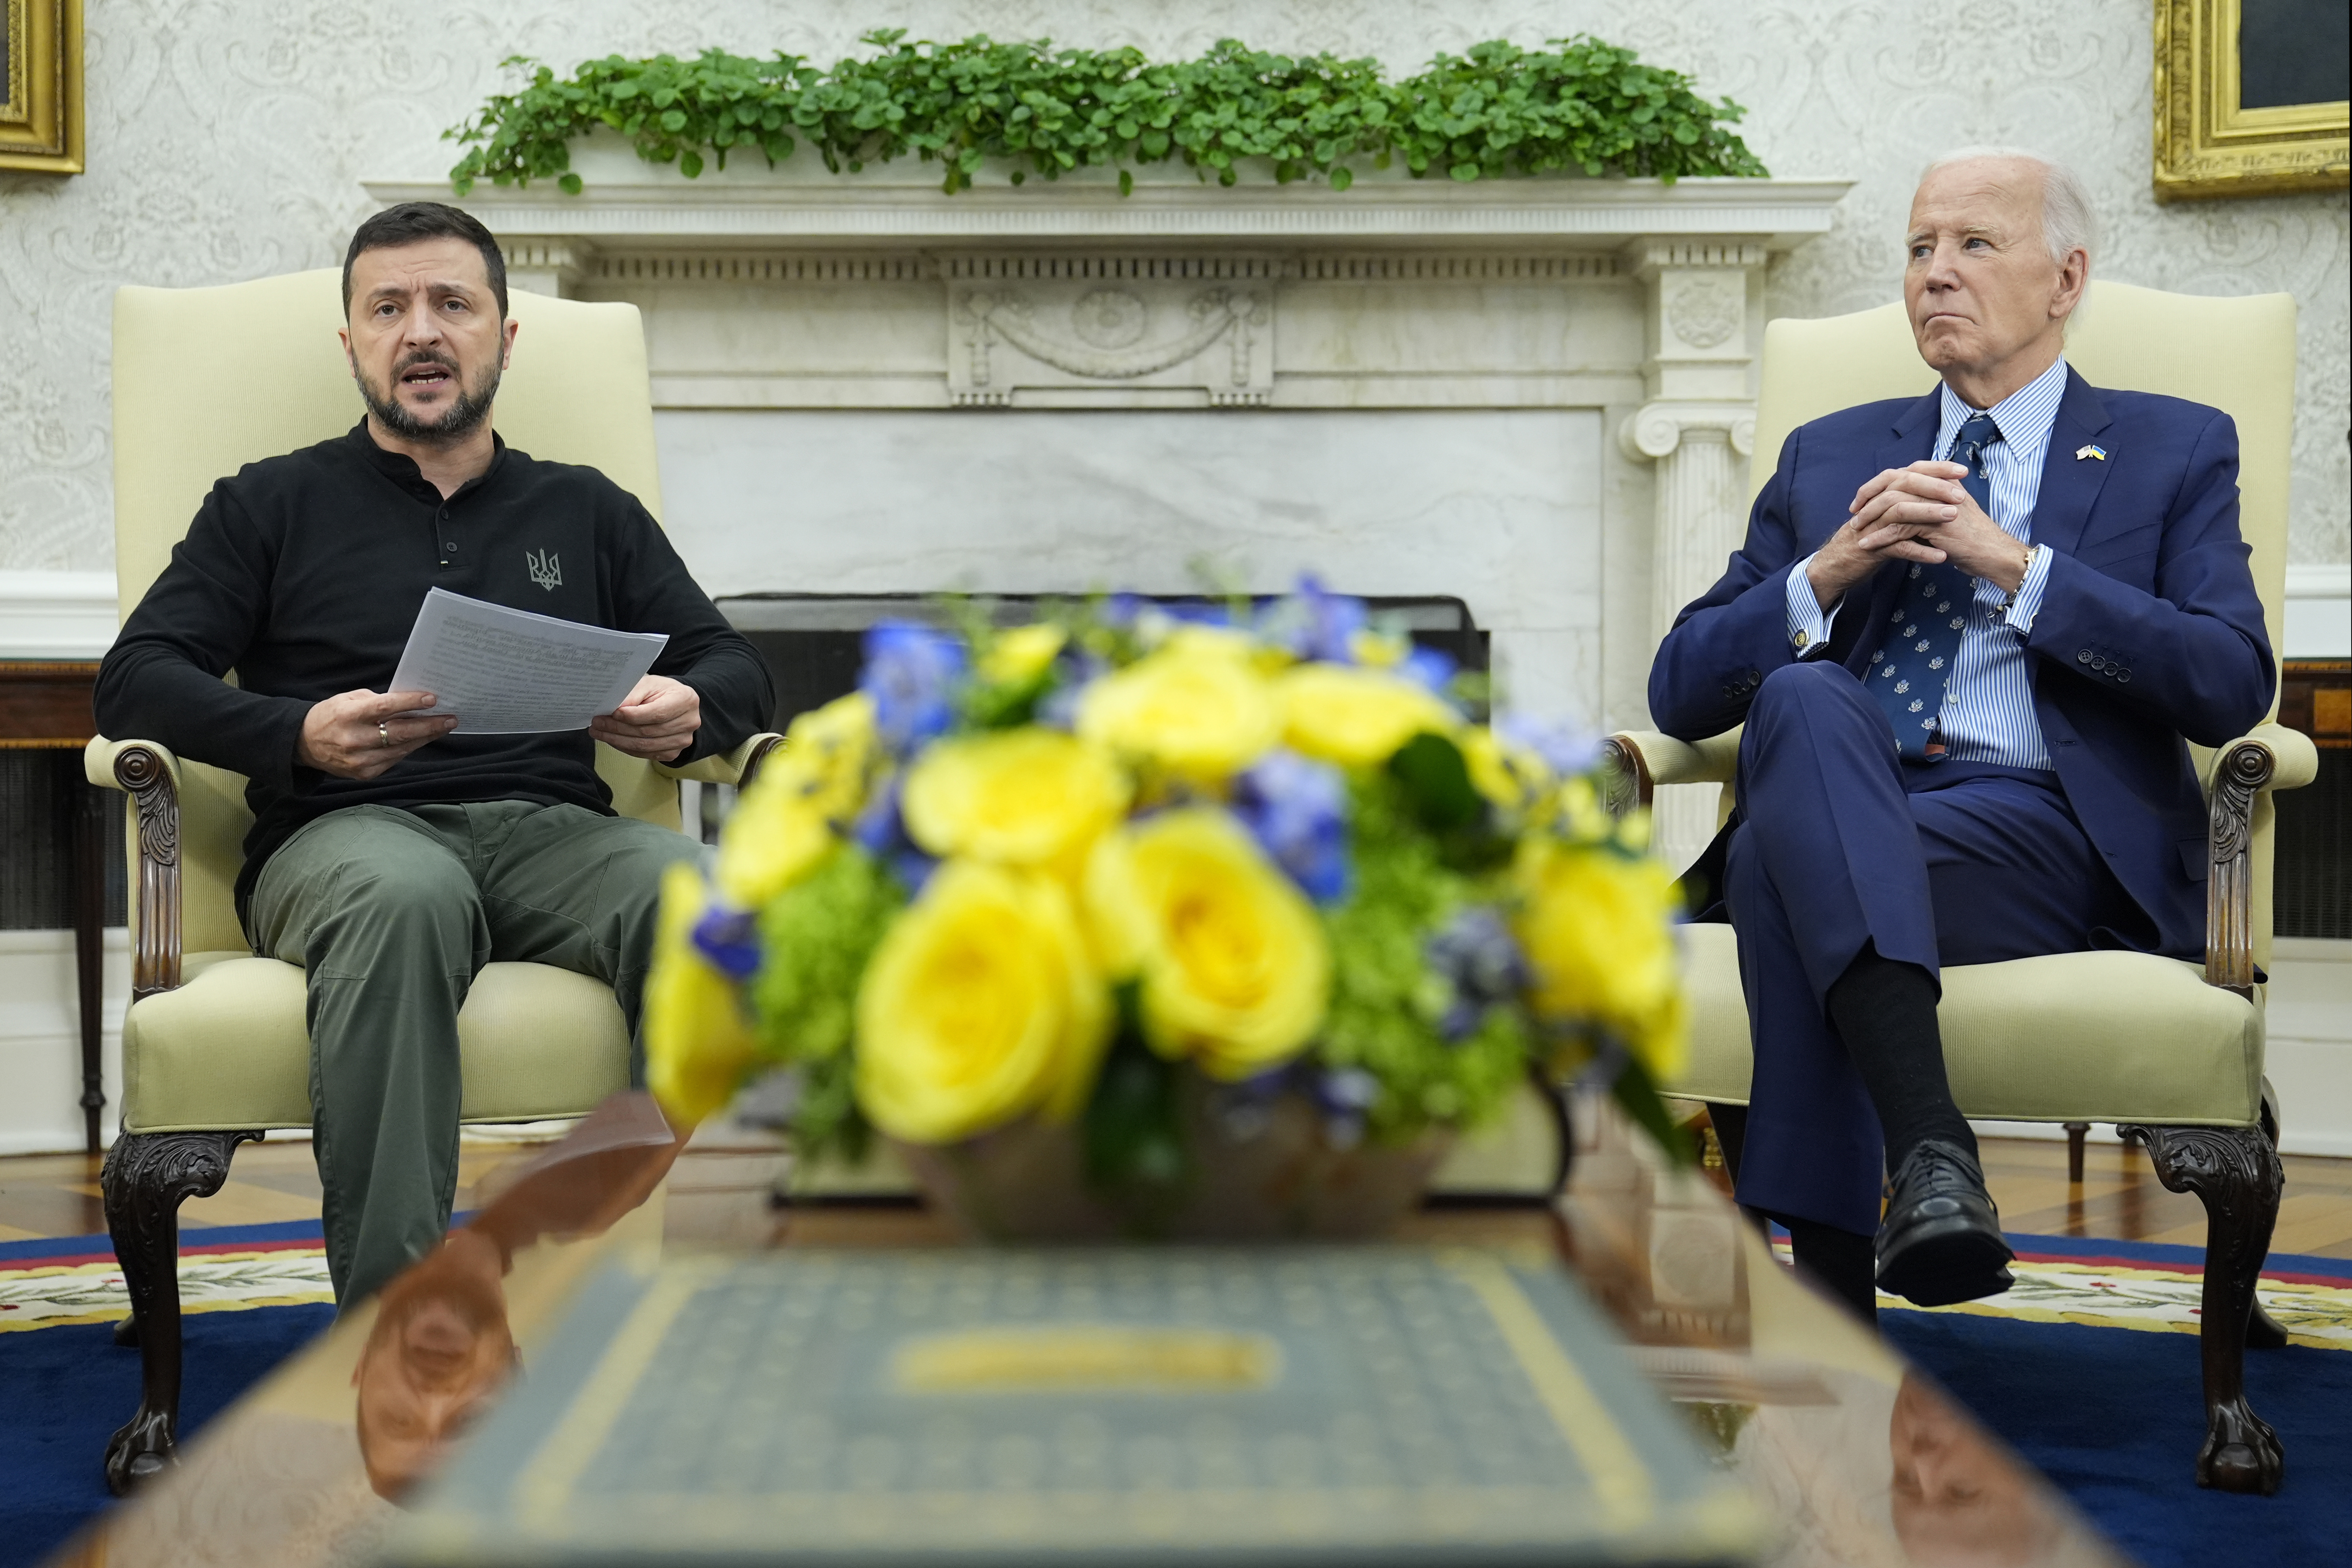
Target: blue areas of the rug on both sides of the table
2111	1414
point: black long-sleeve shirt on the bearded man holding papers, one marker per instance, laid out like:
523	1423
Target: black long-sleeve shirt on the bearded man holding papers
305	575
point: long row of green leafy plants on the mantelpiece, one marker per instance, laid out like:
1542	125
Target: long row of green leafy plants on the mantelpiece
1492	112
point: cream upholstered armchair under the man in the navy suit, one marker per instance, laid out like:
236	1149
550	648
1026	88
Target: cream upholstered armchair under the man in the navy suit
2163	1050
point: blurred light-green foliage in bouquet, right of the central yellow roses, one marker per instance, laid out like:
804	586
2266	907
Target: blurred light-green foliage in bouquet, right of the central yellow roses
1384	998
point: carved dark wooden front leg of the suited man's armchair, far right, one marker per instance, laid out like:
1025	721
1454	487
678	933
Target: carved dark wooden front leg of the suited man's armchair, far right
2238	1177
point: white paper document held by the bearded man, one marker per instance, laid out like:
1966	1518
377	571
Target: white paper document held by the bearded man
507	671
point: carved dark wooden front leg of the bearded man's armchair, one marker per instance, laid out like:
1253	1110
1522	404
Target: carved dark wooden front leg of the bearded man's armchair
147	1179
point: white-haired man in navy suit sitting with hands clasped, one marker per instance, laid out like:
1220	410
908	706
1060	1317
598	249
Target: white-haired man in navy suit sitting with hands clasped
1967	638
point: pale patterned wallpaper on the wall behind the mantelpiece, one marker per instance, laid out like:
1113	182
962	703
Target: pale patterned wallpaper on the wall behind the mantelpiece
229	140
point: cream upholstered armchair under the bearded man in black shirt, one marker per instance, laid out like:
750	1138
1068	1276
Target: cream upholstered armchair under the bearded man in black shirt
215	1050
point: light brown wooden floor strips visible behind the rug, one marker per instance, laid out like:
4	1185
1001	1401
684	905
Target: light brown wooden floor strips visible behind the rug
58	1195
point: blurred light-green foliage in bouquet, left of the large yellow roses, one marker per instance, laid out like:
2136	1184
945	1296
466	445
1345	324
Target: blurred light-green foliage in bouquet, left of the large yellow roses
817	939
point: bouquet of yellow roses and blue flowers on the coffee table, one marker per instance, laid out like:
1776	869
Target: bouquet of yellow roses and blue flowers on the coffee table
1201	923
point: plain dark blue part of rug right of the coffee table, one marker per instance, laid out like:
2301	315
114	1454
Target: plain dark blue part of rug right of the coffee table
2113	1416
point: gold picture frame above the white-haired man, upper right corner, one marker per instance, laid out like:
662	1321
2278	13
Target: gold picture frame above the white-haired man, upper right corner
2207	140
